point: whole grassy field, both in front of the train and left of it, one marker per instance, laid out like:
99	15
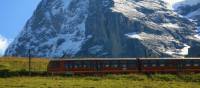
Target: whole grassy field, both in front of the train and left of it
107	81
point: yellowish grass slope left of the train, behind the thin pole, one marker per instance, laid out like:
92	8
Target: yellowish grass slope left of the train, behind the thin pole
22	64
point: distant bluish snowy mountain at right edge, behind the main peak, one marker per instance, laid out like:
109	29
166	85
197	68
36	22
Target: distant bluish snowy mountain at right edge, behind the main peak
190	9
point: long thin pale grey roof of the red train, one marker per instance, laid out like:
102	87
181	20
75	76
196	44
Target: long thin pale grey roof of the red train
53	59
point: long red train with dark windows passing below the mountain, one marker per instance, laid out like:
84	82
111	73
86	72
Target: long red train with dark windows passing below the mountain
123	65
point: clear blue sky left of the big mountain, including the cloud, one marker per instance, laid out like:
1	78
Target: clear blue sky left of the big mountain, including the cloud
13	16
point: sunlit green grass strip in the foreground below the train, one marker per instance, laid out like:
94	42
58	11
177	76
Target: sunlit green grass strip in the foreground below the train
91	82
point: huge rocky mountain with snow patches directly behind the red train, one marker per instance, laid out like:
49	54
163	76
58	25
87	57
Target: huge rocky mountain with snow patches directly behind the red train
105	28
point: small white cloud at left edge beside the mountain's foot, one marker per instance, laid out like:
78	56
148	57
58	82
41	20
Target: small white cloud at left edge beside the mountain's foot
4	42
